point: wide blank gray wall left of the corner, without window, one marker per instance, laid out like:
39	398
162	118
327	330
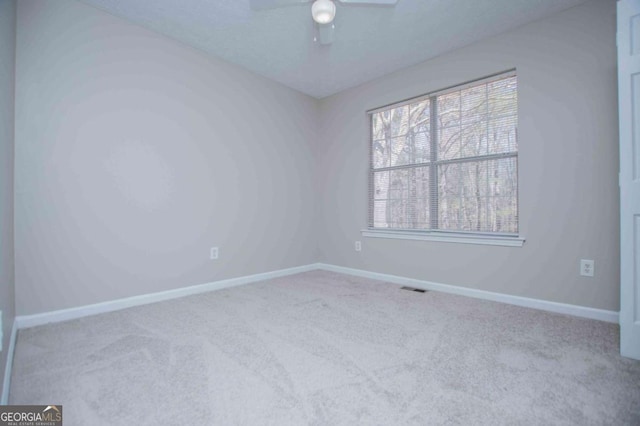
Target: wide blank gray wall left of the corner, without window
135	154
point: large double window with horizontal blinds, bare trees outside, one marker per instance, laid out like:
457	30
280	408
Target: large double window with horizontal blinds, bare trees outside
447	162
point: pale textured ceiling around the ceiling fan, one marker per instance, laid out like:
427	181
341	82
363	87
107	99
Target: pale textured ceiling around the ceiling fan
369	41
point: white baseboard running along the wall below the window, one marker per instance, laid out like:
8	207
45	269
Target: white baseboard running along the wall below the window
544	305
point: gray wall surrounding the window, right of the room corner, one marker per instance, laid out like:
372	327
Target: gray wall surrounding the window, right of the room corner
569	207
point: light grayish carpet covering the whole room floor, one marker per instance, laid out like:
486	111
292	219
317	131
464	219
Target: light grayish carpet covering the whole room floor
321	348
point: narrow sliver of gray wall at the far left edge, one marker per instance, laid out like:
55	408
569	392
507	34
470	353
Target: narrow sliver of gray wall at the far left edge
7	65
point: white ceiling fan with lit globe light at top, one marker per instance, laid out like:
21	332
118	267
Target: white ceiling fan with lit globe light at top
322	11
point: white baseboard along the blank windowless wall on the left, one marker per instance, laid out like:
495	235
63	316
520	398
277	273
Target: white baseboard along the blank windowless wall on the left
26	321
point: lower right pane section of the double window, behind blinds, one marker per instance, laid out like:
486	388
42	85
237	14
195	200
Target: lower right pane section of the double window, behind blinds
478	196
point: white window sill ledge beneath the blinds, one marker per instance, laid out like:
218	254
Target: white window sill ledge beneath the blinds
492	240
